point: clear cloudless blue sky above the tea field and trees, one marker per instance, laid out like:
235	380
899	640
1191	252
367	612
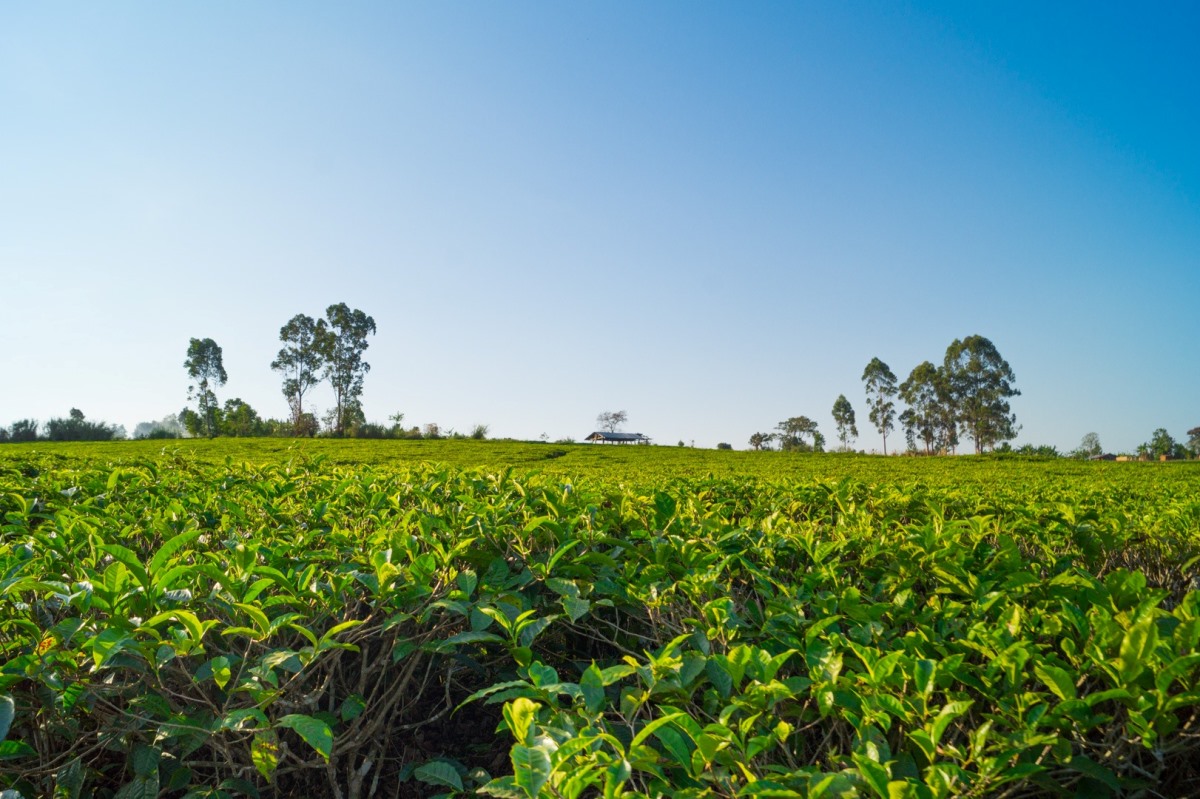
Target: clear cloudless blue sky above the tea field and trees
710	215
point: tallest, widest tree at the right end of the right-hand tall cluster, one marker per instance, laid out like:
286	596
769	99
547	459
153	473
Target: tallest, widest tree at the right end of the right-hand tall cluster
981	383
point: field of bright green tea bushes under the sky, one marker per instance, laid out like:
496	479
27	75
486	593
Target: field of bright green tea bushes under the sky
412	618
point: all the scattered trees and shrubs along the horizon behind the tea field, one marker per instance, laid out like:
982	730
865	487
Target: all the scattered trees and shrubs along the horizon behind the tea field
965	397
